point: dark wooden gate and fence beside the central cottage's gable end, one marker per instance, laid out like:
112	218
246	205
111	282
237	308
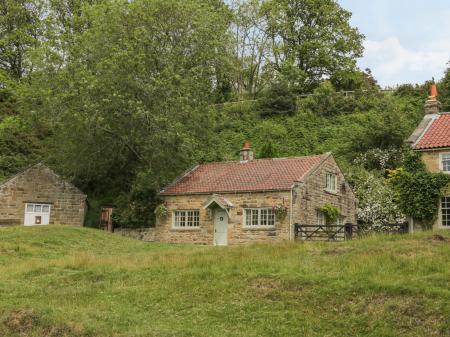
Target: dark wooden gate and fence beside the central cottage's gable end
343	232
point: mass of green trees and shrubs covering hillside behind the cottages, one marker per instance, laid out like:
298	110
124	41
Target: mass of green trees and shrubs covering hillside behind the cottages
120	97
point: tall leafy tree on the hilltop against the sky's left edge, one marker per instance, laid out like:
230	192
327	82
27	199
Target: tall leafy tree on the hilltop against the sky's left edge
311	40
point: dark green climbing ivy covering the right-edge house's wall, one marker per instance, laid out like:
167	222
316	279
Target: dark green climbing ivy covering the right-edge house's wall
418	191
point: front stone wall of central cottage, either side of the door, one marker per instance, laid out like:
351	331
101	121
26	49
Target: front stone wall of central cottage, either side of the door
237	233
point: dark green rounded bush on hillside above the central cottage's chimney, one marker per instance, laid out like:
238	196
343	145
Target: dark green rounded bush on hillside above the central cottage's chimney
278	99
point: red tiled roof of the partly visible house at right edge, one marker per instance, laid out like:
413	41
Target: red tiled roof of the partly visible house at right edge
437	134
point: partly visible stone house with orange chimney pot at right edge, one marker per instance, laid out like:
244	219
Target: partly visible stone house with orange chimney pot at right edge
432	140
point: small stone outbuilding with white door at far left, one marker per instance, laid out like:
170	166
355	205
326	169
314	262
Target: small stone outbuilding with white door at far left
38	196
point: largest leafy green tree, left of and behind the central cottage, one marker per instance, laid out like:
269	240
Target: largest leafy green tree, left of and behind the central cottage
128	97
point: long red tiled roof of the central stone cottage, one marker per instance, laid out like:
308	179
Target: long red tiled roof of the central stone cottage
234	176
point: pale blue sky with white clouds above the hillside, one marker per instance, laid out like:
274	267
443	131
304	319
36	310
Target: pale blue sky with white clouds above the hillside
406	41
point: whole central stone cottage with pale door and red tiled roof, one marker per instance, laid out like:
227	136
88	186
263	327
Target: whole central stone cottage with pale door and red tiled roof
251	200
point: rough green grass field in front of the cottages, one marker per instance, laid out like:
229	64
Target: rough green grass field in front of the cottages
63	281
